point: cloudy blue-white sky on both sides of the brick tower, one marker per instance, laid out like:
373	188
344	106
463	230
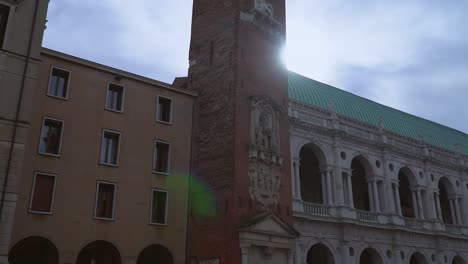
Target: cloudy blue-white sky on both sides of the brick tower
410	55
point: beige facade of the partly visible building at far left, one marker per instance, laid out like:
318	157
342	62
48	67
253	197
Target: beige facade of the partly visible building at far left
19	69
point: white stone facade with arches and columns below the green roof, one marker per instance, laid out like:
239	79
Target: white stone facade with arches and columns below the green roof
382	229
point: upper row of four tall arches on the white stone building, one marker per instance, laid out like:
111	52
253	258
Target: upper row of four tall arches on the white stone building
365	191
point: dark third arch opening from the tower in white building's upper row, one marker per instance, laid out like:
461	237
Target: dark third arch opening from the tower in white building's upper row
407	204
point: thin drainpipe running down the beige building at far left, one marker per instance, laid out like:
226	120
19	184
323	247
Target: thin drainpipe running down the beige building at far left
18	108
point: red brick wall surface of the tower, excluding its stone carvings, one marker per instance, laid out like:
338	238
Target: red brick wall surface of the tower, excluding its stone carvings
231	61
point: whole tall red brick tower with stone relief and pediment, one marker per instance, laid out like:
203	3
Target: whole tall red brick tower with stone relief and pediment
241	150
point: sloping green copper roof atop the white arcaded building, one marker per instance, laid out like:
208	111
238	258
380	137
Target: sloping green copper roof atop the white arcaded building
311	92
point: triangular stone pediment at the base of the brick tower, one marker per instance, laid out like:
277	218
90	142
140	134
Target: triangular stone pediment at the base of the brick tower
268	223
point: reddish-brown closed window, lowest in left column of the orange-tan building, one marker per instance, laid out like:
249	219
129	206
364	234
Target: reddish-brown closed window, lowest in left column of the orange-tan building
43	193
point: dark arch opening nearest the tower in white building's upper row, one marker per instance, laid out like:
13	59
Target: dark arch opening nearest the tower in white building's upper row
312	182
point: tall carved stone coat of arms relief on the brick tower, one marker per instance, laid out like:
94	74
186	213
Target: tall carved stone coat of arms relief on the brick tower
264	152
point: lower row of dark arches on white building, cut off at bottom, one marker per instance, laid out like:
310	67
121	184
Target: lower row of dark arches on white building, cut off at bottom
321	254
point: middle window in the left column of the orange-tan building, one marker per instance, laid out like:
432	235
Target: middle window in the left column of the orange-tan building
51	137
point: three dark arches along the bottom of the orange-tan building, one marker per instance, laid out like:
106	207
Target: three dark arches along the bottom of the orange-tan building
40	250
